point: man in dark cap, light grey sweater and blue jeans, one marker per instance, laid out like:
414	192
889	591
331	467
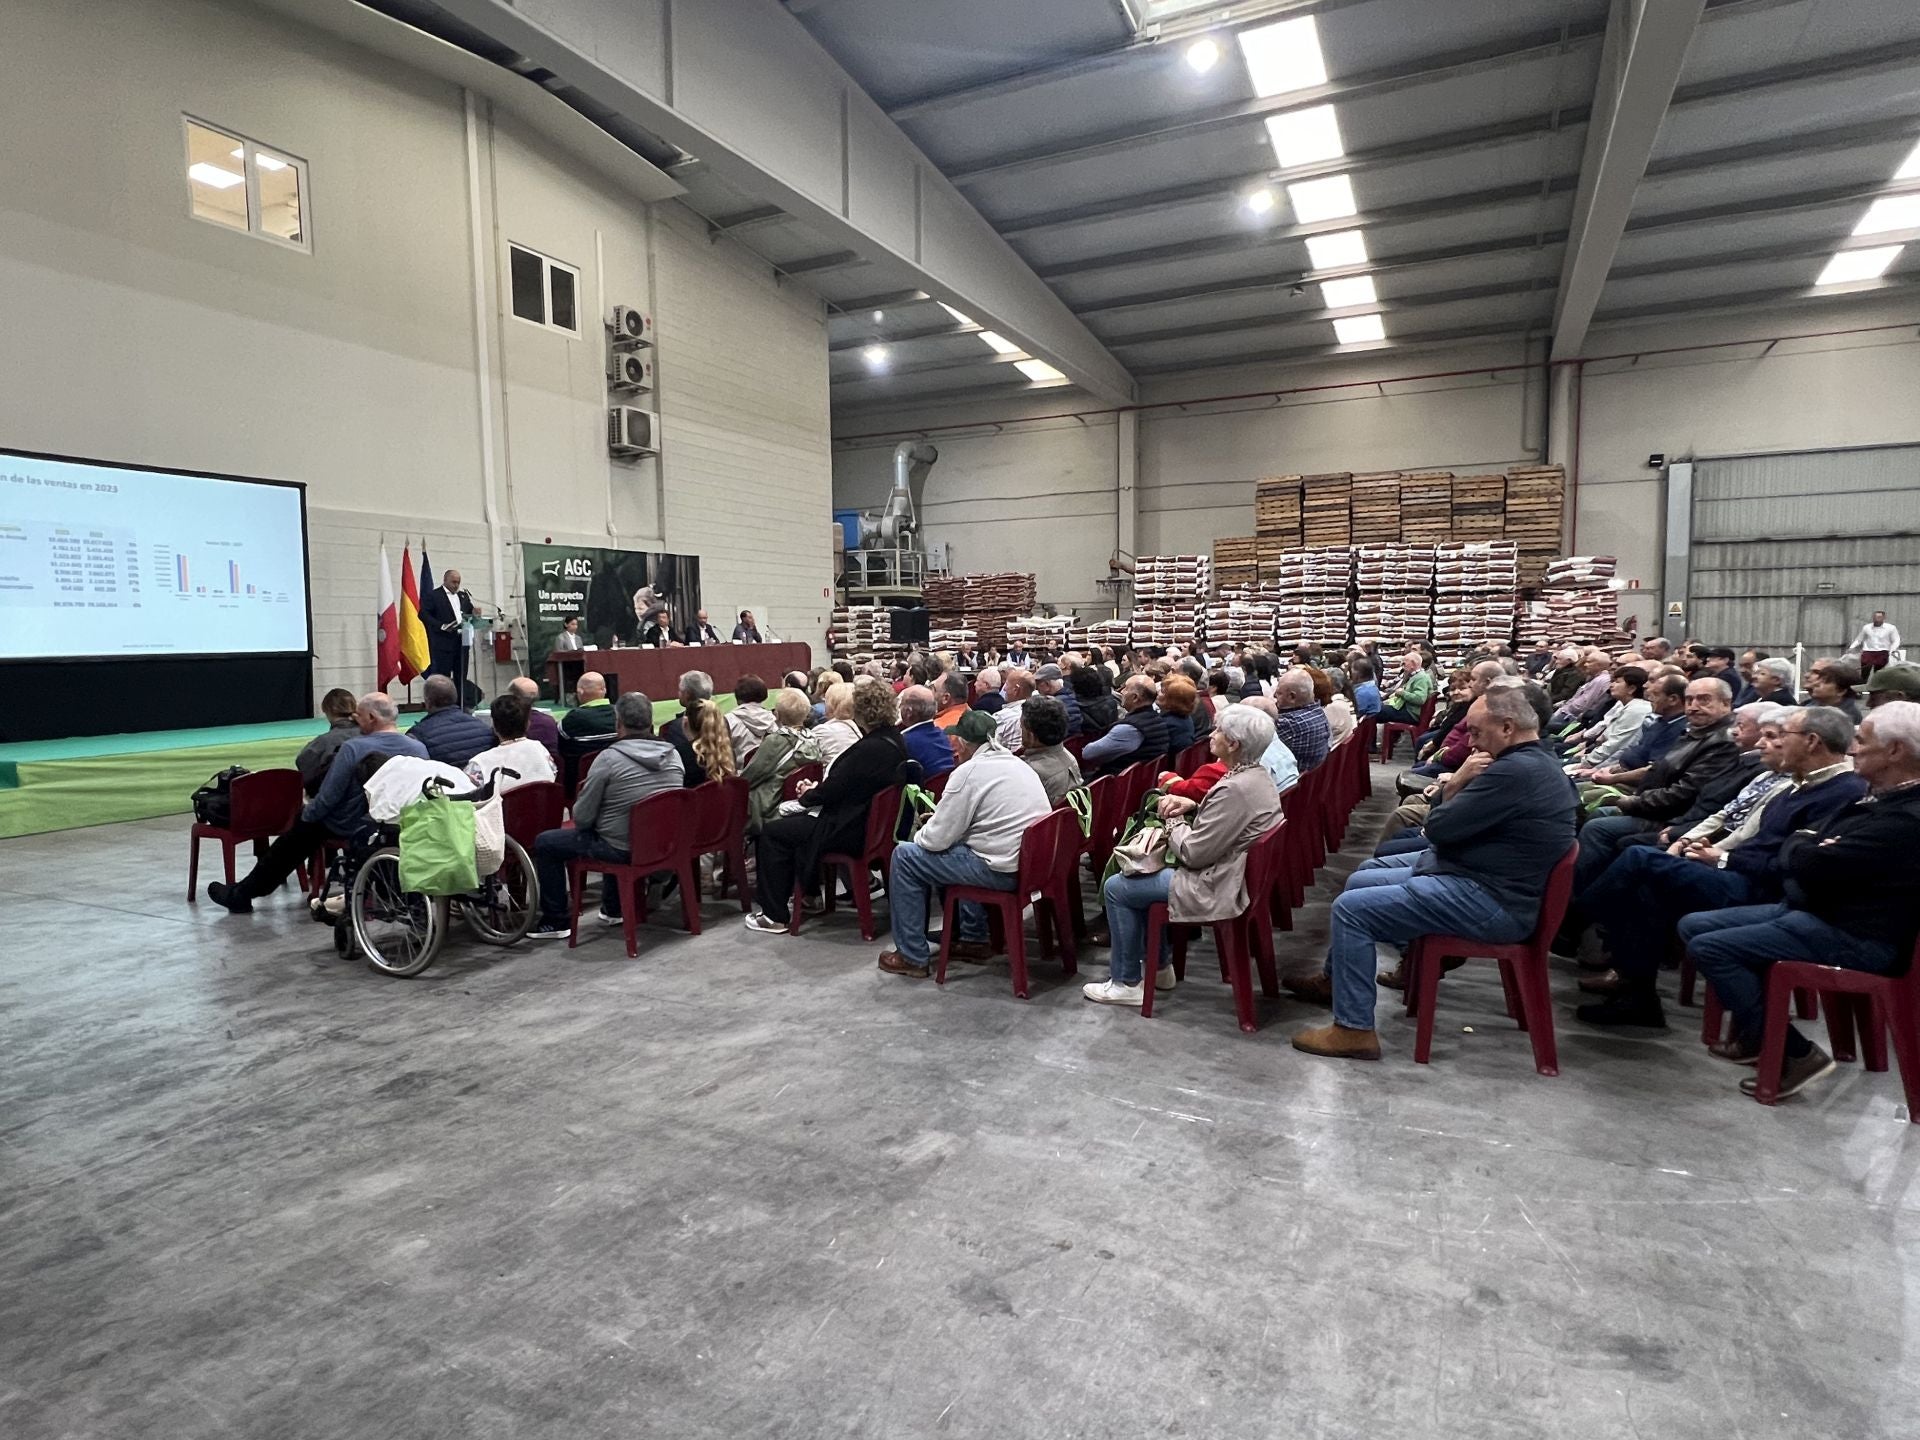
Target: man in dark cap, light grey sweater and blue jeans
972	838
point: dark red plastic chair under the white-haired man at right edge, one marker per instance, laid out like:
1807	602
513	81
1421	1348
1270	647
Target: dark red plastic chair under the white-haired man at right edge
1858	1007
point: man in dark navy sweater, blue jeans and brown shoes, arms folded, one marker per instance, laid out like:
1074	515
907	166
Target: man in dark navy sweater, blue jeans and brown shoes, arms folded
1500	827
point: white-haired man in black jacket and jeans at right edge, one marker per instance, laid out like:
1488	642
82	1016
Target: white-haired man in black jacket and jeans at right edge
1852	898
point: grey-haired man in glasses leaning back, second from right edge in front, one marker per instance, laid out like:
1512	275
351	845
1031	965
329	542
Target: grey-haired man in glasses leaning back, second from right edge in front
1729	859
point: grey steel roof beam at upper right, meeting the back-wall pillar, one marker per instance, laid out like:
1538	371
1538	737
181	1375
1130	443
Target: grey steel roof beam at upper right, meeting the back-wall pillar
1639	72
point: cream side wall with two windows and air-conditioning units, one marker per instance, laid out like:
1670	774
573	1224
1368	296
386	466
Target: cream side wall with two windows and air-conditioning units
139	333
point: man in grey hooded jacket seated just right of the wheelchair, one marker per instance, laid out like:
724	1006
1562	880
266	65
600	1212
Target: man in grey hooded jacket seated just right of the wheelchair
627	773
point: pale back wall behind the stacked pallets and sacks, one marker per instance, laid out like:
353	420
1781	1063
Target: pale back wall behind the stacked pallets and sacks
1199	462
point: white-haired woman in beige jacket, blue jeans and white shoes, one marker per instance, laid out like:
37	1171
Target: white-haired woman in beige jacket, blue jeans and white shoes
1207	846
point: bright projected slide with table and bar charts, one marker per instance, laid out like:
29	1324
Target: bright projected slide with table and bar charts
97	560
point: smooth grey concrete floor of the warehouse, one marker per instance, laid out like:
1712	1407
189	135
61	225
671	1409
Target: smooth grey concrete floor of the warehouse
752	1188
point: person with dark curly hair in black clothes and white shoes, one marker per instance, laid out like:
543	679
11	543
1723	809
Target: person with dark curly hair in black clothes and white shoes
830	817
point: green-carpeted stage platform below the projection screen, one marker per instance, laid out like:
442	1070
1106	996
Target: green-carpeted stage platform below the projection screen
66	784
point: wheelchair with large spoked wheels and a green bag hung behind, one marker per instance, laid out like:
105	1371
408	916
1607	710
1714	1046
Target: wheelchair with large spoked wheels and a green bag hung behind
398	932
